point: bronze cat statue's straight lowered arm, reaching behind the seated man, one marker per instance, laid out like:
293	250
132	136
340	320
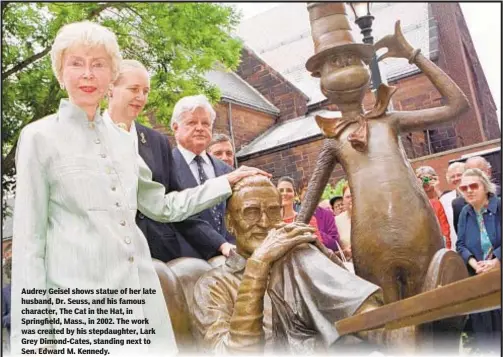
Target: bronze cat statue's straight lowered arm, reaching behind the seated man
324	166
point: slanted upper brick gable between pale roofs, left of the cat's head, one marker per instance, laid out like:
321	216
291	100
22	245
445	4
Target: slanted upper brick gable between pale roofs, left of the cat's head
291	102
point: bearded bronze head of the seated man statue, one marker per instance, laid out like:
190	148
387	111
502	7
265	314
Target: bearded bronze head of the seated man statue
253	209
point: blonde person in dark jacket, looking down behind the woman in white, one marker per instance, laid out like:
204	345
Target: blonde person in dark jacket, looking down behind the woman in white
193	237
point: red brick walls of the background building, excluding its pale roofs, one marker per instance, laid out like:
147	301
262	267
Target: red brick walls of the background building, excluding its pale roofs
455	55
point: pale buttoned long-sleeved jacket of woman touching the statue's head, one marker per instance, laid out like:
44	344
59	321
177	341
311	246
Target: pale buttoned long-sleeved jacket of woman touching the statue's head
79	185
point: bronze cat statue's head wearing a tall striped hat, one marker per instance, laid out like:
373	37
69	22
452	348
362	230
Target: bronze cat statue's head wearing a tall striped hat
339	62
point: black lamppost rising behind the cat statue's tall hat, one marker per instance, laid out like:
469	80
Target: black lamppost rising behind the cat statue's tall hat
364	19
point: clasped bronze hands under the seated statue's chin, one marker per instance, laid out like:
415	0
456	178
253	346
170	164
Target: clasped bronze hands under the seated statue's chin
279	241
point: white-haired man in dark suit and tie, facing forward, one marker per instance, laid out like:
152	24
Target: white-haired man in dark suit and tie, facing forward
192	123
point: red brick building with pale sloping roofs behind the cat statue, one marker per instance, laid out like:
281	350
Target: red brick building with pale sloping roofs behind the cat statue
268	104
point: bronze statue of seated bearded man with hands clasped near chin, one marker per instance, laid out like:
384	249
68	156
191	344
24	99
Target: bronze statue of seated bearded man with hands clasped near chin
275	279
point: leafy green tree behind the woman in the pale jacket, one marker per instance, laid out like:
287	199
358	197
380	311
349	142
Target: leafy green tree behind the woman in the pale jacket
177	42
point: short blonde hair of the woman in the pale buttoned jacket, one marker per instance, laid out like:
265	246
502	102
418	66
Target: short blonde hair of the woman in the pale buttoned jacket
85	33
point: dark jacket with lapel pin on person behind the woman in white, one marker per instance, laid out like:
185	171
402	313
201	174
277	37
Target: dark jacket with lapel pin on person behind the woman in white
194	237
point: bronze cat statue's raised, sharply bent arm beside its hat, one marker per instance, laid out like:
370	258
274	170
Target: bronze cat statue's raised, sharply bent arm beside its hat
424	118
